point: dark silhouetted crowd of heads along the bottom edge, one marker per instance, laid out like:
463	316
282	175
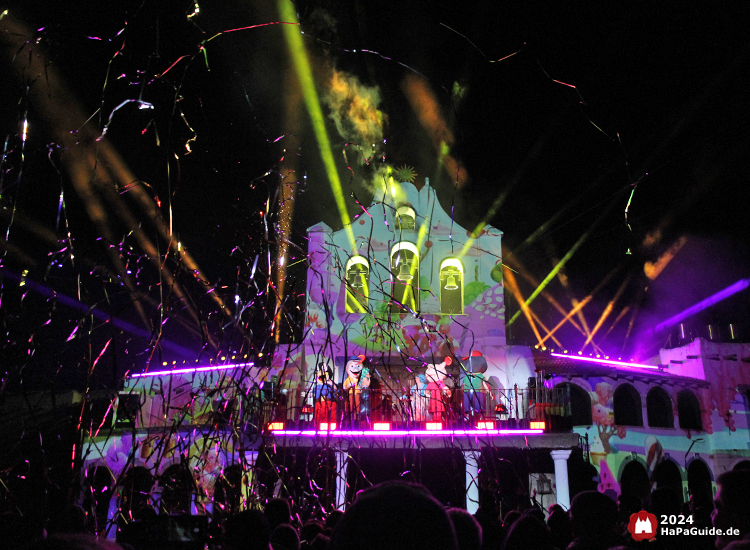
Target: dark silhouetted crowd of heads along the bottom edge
405	516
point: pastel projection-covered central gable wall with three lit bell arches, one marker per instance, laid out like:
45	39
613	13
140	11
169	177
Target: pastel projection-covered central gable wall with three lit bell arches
457	276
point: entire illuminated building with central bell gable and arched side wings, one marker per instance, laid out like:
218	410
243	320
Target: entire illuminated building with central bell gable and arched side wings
404	359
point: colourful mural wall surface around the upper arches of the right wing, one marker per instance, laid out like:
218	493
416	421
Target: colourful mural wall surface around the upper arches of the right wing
719	441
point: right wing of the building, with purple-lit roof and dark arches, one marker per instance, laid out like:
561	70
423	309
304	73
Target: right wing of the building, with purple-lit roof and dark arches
679	426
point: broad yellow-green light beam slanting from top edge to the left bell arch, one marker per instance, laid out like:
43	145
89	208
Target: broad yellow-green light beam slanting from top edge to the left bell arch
307	84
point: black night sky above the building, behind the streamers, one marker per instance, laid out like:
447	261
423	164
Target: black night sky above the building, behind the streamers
545	117
